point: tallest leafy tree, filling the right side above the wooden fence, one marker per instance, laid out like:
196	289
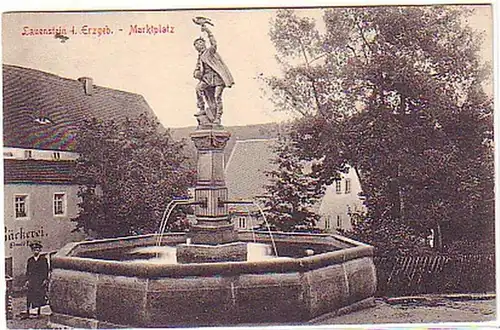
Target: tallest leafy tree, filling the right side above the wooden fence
396	93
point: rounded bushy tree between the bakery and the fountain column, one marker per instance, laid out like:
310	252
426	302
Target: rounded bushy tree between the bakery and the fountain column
128	171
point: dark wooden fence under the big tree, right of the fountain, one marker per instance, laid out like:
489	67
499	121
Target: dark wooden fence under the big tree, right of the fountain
410	275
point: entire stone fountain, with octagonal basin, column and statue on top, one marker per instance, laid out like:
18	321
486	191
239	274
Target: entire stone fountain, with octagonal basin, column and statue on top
211	279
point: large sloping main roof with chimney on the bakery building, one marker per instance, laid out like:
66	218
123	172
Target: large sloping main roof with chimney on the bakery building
29	94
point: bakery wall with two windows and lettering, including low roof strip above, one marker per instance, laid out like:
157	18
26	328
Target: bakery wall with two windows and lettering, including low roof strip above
40	199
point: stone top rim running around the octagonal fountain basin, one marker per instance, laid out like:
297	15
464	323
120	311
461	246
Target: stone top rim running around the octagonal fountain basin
65	258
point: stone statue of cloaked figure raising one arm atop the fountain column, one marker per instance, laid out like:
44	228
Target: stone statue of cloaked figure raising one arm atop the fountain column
213	76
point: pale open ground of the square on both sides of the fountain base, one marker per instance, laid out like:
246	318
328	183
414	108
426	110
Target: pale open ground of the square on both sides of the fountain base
431	311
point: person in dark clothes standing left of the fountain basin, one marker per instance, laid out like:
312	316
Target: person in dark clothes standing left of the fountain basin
37	273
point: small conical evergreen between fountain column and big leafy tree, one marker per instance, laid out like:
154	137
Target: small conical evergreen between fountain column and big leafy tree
292	192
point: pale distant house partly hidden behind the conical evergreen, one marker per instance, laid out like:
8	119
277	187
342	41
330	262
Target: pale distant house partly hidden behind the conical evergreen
246	180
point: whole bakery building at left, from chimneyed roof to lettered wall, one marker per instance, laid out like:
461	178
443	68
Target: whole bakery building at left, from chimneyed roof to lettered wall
41	112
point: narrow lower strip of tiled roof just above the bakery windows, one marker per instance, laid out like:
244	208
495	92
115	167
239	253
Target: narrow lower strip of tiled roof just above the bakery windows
38	171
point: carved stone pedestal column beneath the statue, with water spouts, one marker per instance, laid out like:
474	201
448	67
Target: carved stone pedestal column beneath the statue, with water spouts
213	225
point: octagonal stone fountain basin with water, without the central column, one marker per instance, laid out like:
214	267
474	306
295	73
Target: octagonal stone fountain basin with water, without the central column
128	282
